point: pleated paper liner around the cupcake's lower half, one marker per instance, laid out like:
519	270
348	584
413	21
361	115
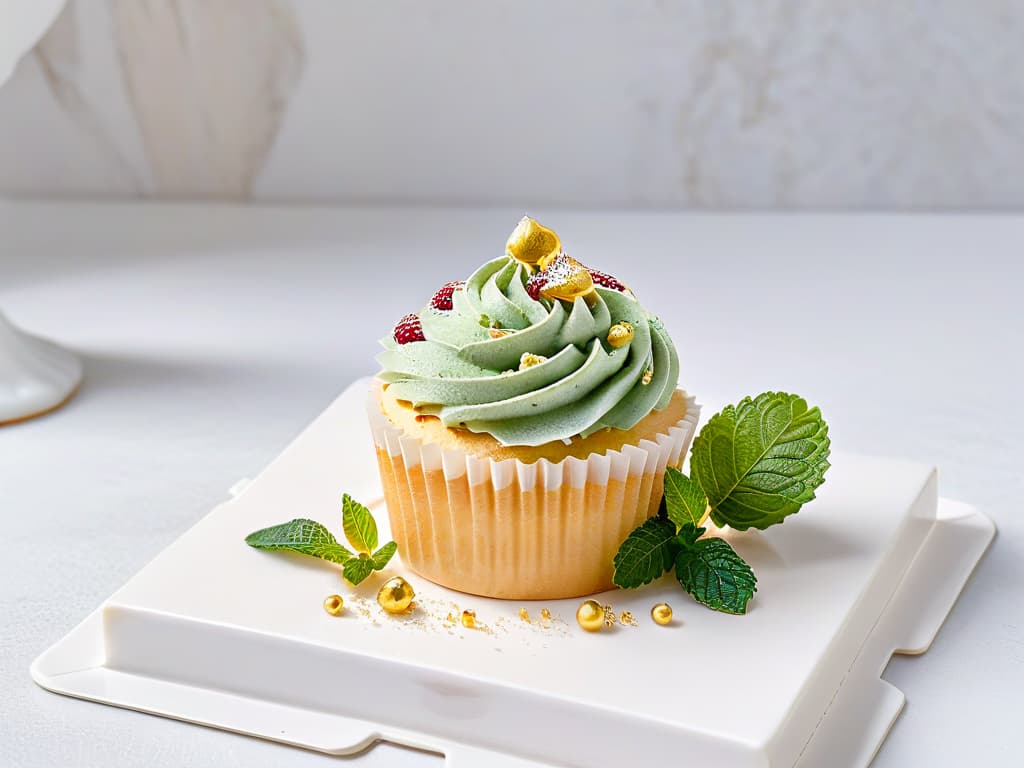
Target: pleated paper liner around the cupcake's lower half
509	529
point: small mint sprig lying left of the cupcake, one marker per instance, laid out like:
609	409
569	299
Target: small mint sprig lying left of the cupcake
311	538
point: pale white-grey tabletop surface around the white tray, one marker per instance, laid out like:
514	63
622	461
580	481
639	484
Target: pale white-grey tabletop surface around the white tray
211	335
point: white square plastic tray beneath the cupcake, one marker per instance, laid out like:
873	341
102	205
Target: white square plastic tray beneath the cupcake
217	633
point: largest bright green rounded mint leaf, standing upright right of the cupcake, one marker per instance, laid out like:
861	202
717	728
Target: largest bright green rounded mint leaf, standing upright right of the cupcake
761	460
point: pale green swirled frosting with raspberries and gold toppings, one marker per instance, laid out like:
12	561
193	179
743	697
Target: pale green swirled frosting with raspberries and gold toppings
533	348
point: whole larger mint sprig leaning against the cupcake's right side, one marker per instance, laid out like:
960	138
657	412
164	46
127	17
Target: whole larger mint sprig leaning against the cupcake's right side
754	464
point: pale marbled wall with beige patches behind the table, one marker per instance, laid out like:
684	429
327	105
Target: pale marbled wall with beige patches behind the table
795	104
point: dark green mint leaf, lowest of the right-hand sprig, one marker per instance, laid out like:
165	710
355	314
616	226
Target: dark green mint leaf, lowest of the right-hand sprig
714	574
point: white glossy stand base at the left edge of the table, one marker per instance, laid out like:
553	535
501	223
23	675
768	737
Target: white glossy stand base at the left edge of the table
36	376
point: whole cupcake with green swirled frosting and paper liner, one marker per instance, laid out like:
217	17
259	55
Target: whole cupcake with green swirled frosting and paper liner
524	421
